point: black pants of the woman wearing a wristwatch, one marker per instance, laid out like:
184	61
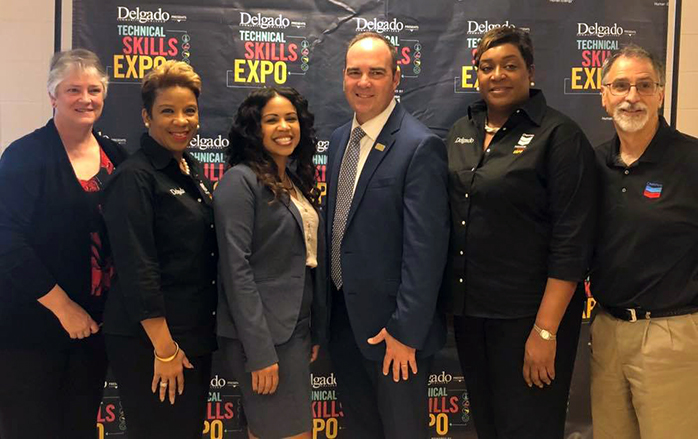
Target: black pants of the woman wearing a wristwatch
491	353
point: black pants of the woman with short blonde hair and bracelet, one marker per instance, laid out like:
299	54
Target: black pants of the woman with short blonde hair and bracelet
146	417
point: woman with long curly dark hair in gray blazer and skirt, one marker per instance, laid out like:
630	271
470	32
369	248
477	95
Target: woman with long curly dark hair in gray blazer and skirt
272	298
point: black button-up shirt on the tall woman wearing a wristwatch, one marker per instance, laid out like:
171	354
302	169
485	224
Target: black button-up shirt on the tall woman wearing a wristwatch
522	210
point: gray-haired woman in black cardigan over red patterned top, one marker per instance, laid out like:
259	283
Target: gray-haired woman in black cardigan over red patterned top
55	264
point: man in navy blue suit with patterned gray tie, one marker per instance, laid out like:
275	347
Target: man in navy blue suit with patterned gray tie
388	226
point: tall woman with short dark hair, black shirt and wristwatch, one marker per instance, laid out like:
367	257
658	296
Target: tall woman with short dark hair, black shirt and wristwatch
521	188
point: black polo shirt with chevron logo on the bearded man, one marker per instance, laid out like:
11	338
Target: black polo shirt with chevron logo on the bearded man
647	249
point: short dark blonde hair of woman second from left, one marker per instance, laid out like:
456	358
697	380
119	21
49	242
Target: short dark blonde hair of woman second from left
169	74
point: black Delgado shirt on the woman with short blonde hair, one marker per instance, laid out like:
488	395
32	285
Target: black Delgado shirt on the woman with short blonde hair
160	223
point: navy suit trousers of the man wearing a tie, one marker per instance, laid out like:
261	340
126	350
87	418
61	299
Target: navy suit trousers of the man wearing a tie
374	405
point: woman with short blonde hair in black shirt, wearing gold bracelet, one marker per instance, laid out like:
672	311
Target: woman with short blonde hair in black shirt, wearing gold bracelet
160	319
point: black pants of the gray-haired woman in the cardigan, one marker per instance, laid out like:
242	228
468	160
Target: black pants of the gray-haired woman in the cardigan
52	394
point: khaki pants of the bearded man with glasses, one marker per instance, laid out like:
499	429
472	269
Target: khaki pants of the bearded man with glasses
644	377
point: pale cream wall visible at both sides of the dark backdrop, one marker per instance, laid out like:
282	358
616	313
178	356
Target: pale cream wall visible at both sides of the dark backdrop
28	26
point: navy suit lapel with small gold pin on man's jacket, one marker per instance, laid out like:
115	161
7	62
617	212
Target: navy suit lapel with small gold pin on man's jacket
376	156
